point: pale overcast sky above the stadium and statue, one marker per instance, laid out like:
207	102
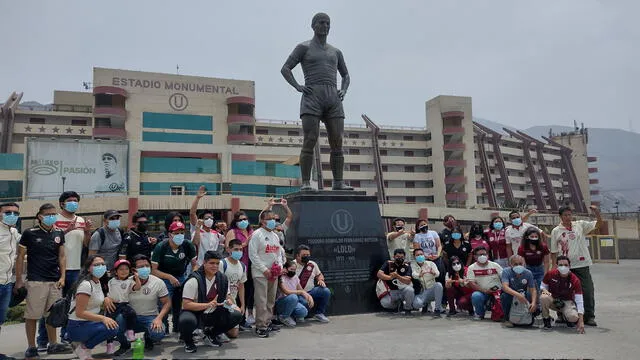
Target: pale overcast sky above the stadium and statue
524	63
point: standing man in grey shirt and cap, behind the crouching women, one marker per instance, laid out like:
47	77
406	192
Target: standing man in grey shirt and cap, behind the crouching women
106	241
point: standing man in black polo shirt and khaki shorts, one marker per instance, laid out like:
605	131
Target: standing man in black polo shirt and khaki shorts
44	247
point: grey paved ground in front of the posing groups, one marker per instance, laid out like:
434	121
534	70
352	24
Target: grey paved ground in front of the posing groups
395	336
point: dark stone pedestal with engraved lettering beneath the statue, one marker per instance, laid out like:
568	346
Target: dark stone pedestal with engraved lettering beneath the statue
347	240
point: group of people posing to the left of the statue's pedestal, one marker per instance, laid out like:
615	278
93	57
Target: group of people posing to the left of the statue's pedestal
206	283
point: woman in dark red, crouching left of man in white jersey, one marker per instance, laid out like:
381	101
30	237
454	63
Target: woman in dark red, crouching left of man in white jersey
458	293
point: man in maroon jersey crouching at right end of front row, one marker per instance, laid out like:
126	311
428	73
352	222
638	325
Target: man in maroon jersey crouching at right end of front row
562	292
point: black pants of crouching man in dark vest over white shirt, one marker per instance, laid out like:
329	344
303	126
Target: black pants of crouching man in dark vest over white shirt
213	324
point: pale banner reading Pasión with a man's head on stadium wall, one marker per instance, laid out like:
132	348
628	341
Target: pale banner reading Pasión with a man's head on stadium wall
85	167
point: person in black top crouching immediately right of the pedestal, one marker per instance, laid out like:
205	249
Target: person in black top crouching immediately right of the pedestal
396	274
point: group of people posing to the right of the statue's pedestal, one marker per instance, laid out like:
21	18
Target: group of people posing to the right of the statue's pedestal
516	271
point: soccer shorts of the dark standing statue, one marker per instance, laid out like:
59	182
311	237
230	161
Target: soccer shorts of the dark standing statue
322	102
